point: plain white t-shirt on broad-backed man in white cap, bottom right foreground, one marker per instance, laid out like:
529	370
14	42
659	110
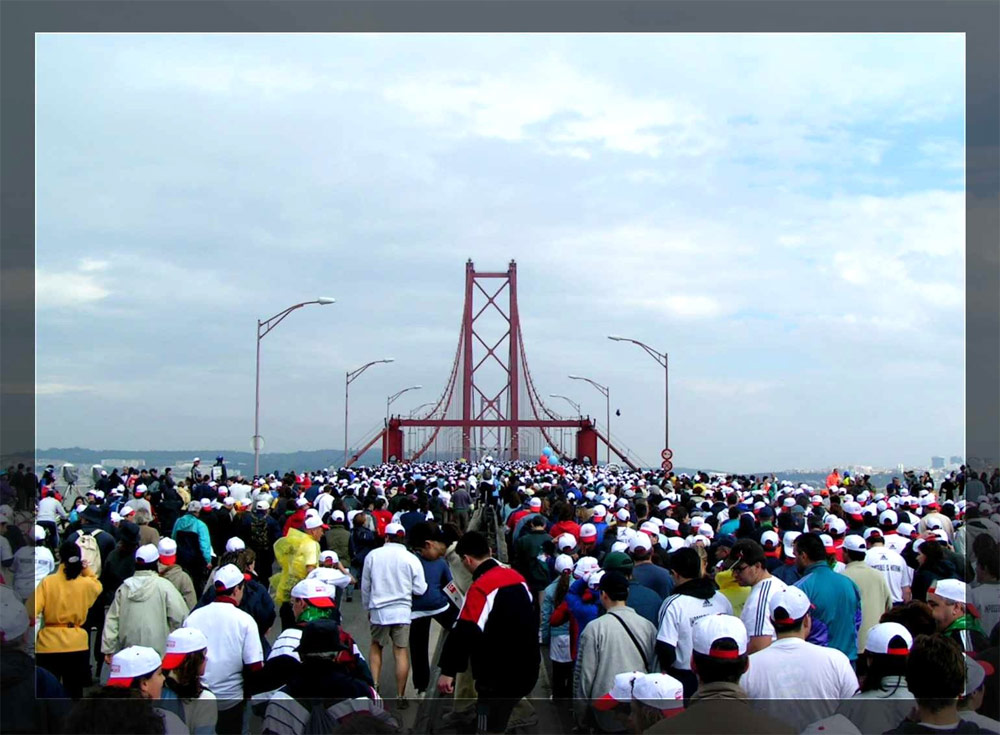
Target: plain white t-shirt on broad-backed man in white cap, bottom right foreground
814	678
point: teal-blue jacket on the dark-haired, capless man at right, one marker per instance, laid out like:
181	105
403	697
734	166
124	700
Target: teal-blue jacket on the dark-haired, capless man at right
838	605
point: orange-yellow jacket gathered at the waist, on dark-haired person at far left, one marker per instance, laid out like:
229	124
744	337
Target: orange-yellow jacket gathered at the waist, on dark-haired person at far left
62	602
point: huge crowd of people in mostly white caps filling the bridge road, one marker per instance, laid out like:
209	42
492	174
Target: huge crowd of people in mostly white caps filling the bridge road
645	601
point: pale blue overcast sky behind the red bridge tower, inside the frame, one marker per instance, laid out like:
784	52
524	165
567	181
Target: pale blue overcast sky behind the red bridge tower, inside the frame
783	214
